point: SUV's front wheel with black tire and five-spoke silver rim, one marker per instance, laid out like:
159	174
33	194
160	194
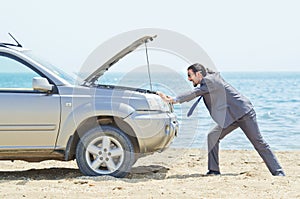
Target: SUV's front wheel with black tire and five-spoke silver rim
105	150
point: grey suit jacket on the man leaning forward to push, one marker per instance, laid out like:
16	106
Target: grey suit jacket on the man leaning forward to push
224	103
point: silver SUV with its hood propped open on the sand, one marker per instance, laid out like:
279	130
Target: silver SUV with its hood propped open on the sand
45	115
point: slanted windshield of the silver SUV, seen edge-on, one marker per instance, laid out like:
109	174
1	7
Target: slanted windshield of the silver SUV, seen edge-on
54	69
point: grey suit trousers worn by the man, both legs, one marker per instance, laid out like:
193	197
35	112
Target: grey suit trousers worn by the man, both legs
249	126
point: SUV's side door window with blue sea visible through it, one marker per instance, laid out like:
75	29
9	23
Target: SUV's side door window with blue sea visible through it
14	75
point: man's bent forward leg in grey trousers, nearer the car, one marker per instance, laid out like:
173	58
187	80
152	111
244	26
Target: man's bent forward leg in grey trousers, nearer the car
213	139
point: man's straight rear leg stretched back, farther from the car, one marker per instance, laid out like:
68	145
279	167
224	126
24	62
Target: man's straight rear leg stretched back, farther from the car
249	125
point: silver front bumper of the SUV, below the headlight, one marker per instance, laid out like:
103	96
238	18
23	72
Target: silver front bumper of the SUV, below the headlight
154	130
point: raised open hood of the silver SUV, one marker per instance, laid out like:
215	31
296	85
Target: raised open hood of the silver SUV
90	80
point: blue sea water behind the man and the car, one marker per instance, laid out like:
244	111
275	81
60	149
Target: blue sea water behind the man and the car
275	96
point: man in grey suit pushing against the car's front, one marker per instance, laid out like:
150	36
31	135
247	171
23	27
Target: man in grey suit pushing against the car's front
230	110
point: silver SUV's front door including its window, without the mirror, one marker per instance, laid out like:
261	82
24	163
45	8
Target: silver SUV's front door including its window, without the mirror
28	119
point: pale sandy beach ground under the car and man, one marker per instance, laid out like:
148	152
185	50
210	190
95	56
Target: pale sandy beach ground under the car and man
174	173
